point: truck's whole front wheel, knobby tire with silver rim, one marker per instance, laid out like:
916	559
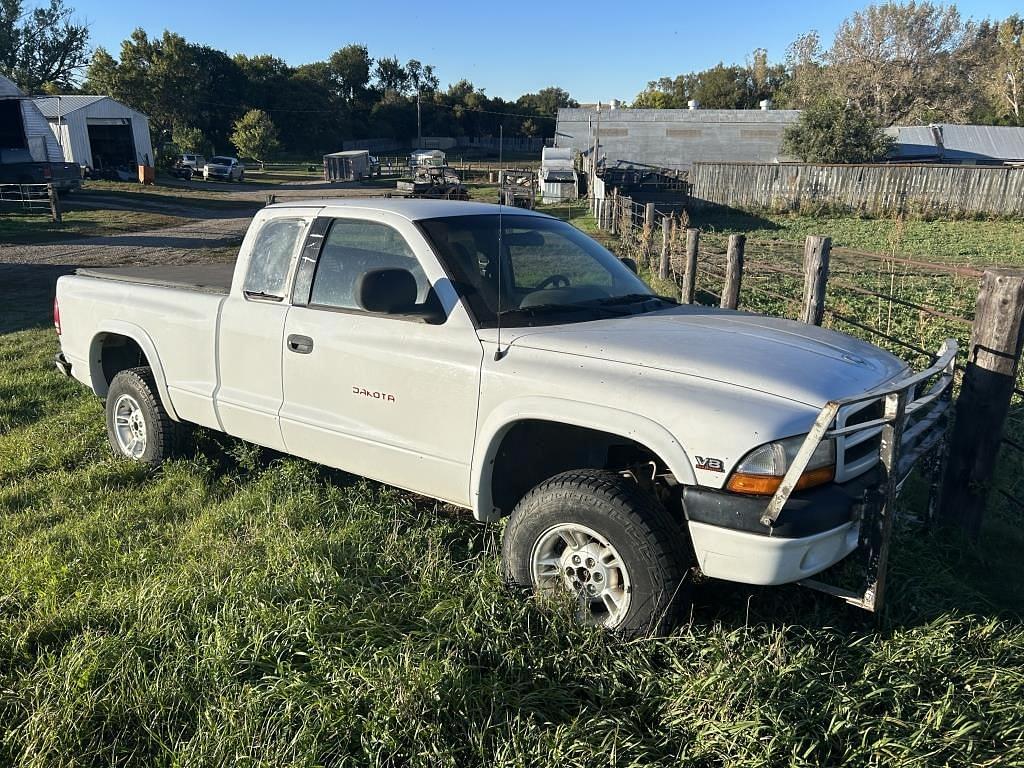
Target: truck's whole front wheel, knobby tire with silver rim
599	537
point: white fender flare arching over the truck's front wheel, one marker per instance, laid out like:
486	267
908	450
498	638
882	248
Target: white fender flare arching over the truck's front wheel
624	423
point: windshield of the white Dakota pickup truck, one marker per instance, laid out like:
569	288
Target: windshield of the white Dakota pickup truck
550	272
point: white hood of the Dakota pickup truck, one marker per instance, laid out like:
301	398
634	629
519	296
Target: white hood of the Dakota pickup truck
782	358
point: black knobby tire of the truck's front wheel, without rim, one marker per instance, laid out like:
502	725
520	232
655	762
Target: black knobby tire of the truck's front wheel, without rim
650	542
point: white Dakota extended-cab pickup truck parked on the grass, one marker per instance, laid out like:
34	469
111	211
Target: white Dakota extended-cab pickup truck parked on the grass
504	362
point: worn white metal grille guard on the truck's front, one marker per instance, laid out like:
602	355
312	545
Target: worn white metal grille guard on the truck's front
913	428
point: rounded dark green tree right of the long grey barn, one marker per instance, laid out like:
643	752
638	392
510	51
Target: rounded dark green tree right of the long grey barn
833	133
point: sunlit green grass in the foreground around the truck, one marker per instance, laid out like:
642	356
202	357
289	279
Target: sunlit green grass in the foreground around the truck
240	608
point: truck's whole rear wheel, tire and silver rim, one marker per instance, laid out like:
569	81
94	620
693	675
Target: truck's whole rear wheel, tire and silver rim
138	425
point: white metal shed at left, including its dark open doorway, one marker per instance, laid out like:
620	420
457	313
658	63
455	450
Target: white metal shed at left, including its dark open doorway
99	133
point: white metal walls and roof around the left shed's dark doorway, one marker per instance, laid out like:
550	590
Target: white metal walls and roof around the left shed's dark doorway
70	118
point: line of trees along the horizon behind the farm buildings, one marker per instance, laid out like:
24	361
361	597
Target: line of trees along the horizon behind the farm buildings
890	64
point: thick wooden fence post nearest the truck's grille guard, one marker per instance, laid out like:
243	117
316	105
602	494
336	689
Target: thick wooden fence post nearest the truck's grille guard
990	378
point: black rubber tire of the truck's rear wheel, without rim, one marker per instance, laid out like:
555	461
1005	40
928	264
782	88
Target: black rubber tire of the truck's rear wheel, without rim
164	437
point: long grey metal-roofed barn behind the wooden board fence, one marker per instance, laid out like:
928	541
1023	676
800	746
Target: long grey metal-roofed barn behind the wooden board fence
676	139
